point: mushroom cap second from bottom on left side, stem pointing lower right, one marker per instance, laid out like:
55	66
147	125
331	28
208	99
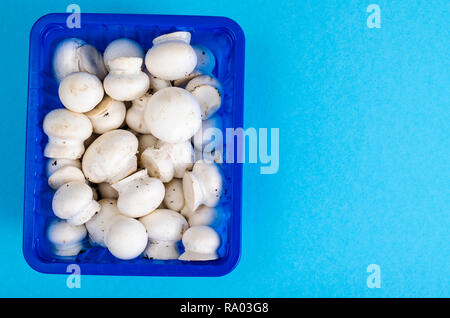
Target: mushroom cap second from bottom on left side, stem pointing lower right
71	198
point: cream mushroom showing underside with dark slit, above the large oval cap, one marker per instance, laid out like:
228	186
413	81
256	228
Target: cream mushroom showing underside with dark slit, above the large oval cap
109	114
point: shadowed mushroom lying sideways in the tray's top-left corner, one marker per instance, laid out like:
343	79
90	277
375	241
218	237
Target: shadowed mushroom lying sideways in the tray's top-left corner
74	55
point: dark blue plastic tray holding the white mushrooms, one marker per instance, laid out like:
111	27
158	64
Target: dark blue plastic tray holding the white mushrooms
225	38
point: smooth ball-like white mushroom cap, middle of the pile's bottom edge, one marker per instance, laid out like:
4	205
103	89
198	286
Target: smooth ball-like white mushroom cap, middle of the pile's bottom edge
126	238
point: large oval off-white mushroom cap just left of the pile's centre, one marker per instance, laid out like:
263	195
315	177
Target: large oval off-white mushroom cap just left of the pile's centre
111	157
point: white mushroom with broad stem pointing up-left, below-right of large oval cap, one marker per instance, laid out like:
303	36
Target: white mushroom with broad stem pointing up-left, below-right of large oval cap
139	194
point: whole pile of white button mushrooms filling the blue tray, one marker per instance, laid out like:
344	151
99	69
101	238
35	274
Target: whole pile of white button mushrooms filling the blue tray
123	153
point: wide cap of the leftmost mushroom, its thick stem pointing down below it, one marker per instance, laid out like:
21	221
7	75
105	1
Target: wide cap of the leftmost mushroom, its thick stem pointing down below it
65	124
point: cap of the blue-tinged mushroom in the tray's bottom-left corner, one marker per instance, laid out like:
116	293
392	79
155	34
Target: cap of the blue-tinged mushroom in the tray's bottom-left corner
63	235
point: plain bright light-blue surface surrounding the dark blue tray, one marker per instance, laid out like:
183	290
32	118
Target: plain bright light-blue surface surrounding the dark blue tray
364	151
